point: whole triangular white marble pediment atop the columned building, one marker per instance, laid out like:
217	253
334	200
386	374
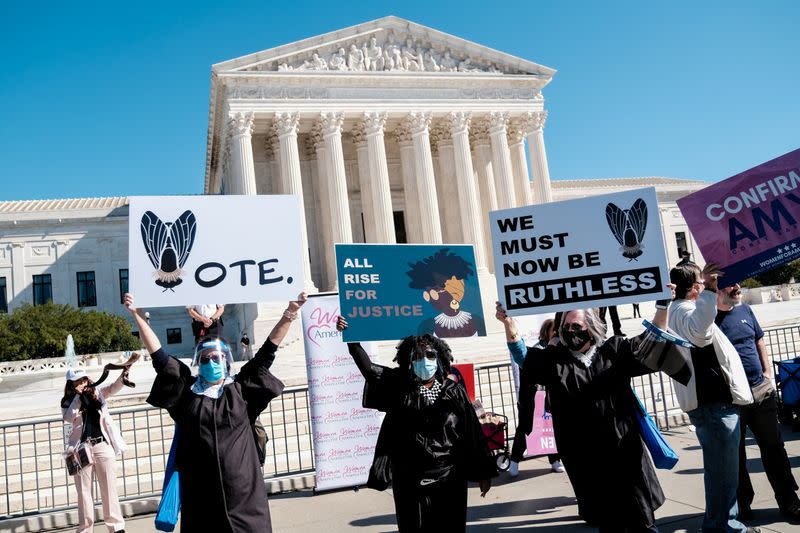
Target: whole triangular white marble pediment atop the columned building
386	45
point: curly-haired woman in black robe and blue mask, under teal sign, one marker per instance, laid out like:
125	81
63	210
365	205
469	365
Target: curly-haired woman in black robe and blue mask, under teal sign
430	443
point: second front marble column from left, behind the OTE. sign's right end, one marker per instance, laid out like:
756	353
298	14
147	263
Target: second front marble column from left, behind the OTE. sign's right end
286	125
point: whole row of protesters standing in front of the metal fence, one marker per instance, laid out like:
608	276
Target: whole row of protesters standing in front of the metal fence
430	445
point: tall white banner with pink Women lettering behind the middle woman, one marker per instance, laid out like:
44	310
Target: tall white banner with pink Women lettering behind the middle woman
344	432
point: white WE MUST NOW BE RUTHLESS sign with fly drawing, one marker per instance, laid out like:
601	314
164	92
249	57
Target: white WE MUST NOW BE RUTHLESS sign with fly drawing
596	251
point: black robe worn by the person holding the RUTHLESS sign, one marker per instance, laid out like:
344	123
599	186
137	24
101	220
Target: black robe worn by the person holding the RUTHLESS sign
596	430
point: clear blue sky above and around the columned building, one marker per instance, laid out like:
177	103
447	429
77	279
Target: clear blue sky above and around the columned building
105	99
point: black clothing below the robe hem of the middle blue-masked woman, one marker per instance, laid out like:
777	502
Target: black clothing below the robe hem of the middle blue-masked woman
438	507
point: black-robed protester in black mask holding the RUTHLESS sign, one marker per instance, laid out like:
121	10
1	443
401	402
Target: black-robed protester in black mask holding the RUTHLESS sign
594	415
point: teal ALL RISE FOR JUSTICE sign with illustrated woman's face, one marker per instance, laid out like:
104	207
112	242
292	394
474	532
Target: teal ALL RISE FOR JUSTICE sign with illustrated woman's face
390	291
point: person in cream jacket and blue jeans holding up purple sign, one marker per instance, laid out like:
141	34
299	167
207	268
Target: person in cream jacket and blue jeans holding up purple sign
713	396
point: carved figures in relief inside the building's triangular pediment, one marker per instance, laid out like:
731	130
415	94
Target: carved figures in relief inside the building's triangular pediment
386	54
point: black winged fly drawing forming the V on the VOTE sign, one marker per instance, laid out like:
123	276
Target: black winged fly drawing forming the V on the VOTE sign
168	245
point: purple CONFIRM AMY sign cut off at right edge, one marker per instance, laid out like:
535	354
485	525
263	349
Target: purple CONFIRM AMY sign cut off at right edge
748	223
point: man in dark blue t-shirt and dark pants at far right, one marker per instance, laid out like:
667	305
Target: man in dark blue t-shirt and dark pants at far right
738	322
